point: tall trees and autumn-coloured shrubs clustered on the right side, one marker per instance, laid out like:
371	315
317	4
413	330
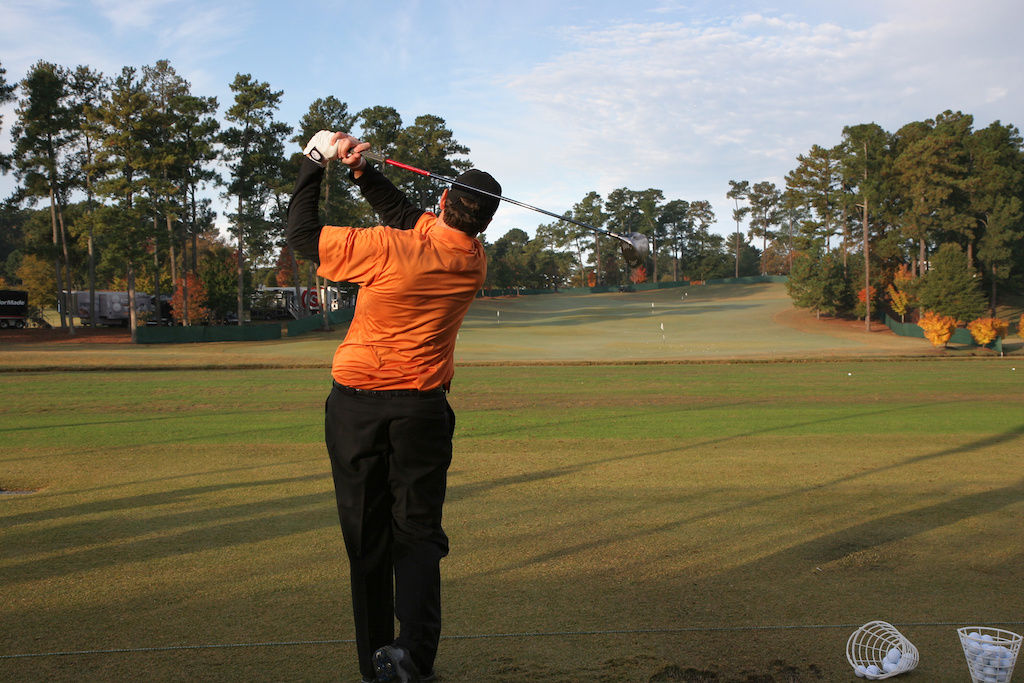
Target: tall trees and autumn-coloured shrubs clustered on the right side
928	219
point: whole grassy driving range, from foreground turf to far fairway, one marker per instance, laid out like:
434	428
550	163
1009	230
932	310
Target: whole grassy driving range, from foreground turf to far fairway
644	522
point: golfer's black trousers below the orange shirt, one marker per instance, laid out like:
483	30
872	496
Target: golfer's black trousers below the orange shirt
390	457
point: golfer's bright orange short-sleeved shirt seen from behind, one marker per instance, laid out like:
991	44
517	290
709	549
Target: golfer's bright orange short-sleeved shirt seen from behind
416	287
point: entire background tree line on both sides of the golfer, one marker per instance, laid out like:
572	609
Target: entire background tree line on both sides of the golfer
114	177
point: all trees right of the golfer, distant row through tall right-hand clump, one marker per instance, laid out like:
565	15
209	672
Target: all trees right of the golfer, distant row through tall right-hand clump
927	220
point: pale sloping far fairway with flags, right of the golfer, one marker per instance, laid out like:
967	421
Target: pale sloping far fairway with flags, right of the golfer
694	323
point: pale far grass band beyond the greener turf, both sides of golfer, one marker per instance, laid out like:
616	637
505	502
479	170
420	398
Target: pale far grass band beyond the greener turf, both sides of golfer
694	324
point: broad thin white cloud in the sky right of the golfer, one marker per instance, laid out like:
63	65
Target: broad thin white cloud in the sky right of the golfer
688	107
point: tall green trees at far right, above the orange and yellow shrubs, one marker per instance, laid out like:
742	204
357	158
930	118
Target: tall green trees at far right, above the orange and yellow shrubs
898	200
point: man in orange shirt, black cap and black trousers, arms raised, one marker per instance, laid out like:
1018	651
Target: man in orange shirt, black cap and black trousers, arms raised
389	425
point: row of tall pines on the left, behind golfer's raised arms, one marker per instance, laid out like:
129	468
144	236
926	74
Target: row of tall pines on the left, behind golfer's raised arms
116	178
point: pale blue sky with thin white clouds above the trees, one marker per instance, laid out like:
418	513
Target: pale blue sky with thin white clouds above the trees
561	99
